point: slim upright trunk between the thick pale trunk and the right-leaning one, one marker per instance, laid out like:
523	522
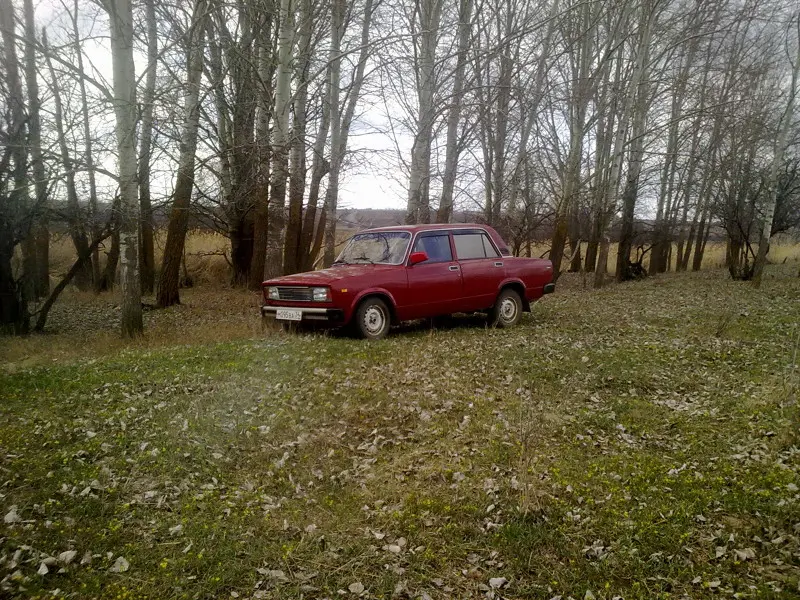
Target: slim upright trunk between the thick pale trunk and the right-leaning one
147	254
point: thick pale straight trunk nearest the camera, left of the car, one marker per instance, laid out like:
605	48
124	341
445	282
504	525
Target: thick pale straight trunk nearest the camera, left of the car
121	19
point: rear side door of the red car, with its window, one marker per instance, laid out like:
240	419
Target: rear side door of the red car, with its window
482	268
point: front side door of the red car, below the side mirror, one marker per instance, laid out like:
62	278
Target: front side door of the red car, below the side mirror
434	286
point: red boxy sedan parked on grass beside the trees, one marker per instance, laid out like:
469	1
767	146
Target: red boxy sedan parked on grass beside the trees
392	274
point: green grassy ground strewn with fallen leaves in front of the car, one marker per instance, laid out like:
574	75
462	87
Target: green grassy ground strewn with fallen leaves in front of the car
640	441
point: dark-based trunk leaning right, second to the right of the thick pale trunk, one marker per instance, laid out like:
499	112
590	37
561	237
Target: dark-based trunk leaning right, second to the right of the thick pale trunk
168	282
